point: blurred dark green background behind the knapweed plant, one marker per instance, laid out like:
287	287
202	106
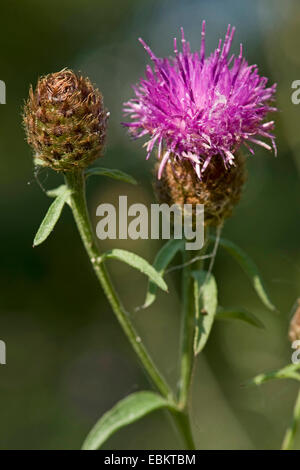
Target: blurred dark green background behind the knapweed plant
67	359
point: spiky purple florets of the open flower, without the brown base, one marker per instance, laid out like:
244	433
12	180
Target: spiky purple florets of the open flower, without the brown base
195	107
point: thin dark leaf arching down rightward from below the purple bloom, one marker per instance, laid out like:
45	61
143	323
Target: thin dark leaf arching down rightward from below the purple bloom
250	269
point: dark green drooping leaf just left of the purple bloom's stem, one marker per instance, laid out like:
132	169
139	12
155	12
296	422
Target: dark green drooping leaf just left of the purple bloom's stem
161	262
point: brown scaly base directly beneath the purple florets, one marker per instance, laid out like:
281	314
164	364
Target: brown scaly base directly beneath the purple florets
218	189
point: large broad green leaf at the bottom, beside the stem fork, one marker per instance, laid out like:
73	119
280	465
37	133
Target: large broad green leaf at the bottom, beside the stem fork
125	412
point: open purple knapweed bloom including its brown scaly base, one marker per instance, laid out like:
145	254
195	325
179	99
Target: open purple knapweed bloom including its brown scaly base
198	111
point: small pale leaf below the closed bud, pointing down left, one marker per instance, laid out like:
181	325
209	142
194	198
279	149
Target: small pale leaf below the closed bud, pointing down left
51	217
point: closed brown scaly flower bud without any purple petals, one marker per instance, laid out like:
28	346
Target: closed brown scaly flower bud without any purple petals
65	121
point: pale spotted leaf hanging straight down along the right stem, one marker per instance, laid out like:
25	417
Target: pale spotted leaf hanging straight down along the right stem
206	303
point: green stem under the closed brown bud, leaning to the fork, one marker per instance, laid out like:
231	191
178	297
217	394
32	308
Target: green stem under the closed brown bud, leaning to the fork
76	182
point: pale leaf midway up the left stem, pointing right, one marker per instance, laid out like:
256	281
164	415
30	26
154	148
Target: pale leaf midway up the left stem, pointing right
138	263
